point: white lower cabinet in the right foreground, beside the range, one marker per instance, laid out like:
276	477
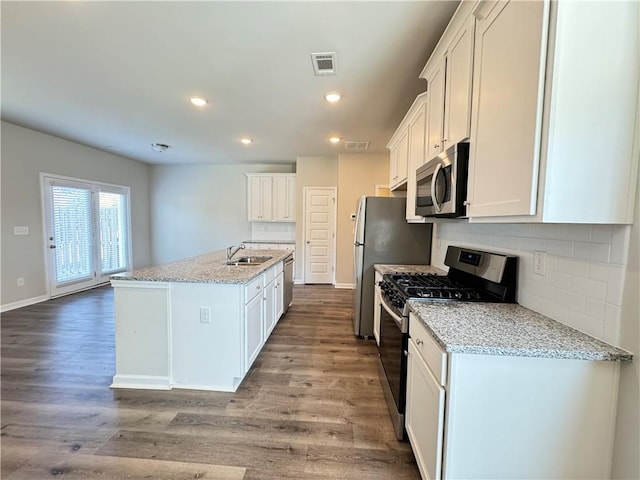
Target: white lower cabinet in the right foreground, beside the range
507	417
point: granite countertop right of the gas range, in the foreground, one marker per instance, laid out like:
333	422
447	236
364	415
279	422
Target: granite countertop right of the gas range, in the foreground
508	329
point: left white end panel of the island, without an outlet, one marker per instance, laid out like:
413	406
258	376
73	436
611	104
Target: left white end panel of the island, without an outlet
141	337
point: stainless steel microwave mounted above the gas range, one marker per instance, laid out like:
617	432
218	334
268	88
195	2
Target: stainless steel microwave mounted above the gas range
441	183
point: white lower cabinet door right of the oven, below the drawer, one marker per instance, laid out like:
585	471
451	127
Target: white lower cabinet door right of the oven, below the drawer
424	415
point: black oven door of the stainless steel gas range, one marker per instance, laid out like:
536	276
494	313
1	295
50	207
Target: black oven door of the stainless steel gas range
394	337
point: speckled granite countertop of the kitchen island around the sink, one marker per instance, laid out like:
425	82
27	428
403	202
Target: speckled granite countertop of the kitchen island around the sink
207	268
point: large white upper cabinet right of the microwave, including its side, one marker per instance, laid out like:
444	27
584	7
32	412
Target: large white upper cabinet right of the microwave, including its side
555	107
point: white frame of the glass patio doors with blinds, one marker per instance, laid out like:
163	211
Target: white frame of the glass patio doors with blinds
45	234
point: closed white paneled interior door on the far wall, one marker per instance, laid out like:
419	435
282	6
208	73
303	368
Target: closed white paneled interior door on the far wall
319	234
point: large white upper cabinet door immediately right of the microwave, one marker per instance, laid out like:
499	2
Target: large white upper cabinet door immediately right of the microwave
510	50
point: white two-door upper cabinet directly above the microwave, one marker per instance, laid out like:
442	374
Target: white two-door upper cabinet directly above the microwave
449	74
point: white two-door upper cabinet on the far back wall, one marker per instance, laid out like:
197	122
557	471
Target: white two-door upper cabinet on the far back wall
271	197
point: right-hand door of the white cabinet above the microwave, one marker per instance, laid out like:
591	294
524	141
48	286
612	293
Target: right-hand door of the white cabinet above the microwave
458	86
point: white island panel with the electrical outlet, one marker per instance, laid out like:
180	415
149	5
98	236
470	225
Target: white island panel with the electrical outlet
207	355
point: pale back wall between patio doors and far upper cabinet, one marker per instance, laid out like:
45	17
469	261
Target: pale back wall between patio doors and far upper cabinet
201	208
